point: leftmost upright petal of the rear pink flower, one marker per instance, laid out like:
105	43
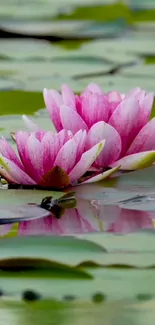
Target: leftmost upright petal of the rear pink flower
53	101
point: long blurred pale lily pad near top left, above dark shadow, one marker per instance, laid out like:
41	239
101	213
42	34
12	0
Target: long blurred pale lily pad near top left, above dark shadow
63	28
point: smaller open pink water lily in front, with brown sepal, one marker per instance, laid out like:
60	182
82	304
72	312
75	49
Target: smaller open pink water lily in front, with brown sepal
49	159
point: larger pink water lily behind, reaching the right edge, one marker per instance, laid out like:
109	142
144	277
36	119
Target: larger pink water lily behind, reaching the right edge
122	120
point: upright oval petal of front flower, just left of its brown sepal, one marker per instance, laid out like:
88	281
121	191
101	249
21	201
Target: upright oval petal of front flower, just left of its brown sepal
34	158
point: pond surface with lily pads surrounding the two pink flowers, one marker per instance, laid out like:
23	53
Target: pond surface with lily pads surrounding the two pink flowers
104	272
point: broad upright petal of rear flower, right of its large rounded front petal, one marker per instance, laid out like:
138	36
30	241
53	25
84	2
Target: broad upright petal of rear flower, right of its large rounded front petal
127	120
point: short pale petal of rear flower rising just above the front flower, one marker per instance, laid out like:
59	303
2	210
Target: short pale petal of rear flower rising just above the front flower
71	120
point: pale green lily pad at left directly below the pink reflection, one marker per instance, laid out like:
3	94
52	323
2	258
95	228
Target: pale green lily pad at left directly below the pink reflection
51	248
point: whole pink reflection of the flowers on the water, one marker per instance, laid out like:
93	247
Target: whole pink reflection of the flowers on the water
87	217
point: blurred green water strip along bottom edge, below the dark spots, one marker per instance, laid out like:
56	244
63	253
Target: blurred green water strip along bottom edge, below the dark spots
67	313
